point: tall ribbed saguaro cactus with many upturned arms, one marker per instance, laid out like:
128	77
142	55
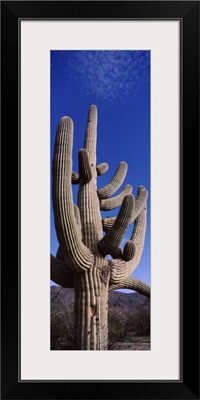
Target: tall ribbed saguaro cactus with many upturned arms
81	261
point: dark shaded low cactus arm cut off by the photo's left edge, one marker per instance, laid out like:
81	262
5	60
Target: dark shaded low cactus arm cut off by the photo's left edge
61	273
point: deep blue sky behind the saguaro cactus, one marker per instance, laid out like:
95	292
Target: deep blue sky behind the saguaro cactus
118	83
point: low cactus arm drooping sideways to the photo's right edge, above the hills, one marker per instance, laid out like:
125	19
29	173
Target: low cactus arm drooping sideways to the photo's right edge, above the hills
133	284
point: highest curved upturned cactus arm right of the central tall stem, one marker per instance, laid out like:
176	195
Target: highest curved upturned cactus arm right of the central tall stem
115	183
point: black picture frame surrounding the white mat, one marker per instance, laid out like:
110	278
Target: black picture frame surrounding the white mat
188	386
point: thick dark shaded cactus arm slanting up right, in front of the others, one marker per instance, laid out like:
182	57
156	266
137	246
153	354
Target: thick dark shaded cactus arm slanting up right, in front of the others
111	241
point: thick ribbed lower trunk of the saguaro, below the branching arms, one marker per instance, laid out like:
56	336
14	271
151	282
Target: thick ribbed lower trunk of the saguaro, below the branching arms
91	311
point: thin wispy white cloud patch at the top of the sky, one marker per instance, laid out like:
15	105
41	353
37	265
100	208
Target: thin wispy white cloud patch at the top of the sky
108	75
